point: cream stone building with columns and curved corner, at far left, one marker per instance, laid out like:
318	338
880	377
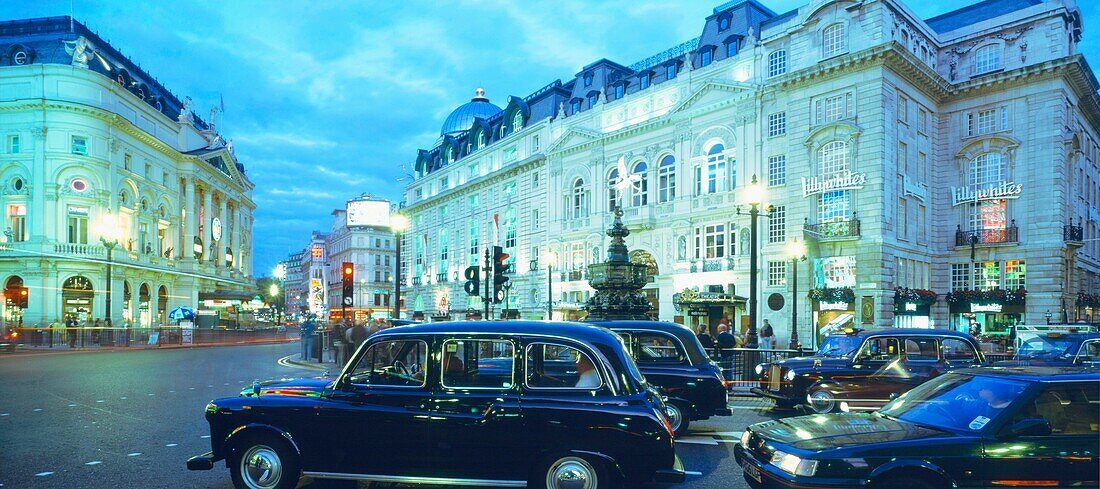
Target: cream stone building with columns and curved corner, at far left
96	152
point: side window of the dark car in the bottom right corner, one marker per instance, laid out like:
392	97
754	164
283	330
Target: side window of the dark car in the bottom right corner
1072	409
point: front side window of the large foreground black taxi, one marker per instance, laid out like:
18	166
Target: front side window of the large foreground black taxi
397	363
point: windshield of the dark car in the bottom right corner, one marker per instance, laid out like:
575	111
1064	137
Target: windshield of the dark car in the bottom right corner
956	403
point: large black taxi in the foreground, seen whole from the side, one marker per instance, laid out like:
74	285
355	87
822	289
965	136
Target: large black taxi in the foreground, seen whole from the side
457	404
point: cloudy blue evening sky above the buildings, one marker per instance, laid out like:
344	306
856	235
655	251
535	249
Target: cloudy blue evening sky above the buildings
326	101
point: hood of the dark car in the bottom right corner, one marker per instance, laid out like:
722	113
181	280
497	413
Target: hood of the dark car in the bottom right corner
820	432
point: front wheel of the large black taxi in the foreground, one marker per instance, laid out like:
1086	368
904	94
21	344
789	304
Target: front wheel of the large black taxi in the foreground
265	462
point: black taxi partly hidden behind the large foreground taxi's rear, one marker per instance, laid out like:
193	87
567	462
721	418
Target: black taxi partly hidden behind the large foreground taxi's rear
674	361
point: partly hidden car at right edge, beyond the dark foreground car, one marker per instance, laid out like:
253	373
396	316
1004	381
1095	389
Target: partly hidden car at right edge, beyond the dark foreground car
1052	349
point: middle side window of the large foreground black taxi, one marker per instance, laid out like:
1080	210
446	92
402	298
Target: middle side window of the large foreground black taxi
478	364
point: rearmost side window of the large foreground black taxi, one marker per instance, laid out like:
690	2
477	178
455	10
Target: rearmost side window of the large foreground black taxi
552	366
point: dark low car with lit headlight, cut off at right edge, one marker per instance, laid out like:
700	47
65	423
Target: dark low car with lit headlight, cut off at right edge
994	427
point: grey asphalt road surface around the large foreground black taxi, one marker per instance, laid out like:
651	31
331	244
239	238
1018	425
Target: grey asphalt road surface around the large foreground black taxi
131	419
